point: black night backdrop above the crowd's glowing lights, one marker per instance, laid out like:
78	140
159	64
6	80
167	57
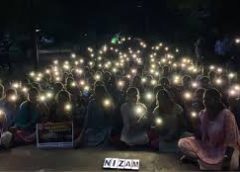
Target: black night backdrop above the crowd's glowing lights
78	21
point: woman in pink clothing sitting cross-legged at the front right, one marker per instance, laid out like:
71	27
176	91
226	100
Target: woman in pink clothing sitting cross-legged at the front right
216	130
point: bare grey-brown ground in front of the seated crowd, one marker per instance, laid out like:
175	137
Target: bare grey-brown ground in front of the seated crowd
29	158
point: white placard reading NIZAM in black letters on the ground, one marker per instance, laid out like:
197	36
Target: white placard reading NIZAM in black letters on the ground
117	163
